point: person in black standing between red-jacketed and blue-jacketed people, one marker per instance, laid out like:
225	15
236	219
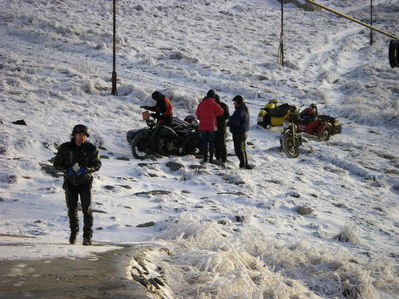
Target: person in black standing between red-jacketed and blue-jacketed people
220	138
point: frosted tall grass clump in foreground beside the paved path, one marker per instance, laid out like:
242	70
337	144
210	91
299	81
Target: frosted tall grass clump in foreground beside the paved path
207	260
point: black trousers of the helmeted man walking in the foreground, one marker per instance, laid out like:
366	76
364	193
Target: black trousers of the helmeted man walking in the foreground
72	194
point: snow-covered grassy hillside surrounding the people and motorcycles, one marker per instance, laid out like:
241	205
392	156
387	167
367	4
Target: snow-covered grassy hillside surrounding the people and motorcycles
218	233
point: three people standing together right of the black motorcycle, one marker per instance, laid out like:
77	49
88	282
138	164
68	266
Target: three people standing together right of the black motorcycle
214	118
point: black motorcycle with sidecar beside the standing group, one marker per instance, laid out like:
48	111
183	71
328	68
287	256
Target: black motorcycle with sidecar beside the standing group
179	138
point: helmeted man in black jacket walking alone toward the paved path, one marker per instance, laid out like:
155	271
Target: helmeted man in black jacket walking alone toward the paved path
78	159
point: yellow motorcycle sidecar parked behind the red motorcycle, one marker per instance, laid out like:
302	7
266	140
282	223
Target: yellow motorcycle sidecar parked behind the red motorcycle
274	115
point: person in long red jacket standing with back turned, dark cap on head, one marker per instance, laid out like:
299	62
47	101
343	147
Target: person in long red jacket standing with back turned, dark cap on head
207	112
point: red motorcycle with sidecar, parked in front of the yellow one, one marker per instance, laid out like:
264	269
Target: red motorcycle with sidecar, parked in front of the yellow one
307	124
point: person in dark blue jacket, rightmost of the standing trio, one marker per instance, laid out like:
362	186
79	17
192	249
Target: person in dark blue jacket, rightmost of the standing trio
239	127
